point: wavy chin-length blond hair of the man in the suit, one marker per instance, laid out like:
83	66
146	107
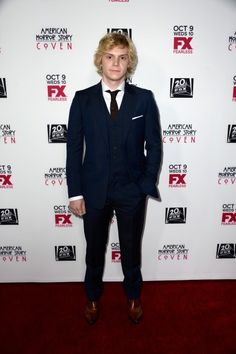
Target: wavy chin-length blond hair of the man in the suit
111	40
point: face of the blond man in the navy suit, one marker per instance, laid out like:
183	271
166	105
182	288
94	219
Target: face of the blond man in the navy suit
114	65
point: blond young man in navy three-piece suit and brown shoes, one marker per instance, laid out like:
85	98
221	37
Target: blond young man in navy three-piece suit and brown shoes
110	126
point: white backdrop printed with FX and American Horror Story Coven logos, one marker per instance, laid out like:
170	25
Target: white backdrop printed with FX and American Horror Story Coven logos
187	57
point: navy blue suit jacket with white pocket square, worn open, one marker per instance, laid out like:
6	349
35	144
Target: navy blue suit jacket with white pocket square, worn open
88	142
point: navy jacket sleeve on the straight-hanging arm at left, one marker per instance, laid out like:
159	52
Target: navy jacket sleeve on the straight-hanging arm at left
75	146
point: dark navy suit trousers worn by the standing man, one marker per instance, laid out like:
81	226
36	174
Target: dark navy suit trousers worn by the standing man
129	204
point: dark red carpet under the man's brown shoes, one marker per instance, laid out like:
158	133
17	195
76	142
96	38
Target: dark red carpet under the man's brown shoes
182	317
